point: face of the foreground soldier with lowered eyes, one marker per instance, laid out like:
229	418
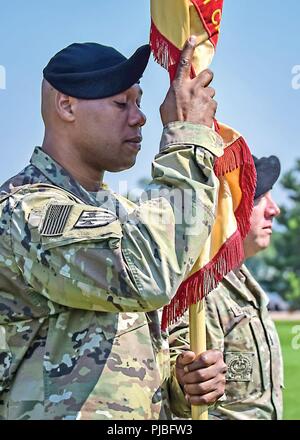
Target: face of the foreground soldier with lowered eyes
109	130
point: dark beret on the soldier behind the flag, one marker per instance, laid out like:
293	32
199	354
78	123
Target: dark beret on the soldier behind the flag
267	171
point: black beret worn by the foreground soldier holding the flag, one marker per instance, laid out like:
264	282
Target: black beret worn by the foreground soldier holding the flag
93	71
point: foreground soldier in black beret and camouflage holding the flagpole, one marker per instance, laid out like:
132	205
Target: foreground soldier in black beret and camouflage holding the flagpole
83	271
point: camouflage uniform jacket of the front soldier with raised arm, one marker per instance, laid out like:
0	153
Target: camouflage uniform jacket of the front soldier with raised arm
83	276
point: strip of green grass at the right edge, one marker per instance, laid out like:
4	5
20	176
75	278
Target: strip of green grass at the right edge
291	356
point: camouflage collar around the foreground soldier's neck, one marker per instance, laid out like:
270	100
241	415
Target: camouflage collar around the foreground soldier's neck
58	176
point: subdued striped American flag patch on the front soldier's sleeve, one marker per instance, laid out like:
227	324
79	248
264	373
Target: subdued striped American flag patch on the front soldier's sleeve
56	219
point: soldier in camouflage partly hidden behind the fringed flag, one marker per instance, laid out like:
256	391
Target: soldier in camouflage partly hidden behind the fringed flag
238	322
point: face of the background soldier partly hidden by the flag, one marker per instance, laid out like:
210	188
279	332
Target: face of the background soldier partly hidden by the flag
259	236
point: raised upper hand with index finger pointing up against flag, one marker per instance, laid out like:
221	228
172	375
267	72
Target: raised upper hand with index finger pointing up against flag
189	99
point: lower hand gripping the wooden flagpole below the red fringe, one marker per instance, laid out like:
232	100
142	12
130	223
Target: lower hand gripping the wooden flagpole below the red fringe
202	377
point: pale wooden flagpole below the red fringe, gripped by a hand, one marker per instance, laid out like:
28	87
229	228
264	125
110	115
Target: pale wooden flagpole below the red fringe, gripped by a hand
198	346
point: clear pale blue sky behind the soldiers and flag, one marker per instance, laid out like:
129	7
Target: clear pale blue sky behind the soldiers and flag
256	67
